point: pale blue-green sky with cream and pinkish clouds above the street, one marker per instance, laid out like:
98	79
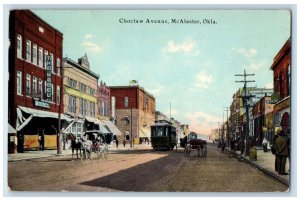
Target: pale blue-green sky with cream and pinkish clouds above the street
190	66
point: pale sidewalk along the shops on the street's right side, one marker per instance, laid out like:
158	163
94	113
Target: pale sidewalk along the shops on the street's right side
266	163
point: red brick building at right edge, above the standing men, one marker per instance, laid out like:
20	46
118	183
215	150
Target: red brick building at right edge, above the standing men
282	86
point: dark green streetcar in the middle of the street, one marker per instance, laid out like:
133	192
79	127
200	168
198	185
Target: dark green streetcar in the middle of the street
163	135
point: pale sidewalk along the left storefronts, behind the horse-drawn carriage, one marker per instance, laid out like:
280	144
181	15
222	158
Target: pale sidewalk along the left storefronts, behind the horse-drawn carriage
27	155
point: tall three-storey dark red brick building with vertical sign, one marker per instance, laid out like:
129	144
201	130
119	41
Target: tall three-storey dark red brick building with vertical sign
35	81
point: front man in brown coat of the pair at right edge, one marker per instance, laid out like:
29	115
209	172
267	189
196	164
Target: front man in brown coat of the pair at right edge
281	152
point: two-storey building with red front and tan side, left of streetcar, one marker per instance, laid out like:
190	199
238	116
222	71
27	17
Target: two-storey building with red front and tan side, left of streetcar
133	108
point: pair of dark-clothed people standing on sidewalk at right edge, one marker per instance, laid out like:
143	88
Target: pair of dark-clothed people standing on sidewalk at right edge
281	150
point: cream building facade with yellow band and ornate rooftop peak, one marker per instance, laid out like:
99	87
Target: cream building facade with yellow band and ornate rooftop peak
80	95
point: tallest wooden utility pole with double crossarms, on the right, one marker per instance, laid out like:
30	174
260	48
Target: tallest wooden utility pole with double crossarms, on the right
245	99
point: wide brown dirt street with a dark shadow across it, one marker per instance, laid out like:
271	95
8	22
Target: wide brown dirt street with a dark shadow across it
142	170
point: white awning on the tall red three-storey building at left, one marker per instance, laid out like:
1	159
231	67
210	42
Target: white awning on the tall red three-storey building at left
22	121
